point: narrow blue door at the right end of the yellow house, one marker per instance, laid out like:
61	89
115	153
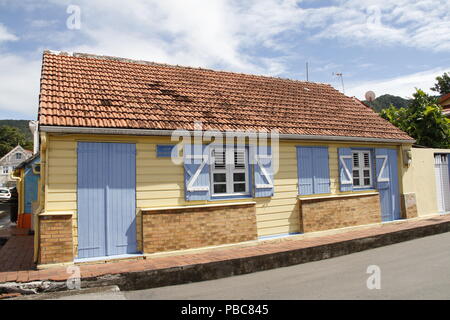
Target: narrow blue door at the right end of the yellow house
387	183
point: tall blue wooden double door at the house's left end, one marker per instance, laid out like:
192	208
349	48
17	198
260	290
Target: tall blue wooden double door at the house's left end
106	199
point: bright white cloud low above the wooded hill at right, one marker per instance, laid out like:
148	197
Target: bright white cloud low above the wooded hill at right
403	86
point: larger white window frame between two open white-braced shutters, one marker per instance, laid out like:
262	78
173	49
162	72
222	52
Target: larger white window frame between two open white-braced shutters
229	171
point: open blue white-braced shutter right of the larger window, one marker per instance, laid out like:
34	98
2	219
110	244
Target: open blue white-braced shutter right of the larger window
262	160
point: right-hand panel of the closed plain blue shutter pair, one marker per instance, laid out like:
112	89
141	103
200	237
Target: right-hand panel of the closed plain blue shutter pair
321	171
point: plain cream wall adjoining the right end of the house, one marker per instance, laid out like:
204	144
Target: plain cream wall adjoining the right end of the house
420	178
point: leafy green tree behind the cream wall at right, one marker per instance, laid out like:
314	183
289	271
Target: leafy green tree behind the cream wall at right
423	120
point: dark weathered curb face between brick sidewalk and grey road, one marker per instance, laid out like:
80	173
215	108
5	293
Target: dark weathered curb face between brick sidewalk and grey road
221	269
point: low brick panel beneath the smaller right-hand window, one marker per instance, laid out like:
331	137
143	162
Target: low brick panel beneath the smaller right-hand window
332	213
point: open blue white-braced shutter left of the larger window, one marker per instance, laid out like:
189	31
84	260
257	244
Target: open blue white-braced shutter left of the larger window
196	172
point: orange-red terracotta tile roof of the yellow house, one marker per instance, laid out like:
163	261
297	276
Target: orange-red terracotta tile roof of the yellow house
90	91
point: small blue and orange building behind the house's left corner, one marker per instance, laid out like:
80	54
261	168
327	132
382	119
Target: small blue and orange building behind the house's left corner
28	176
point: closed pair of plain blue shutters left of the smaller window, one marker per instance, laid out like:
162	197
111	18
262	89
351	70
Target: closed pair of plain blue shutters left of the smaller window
313	170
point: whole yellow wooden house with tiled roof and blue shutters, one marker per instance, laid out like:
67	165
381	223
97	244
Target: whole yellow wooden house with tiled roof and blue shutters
112	189
